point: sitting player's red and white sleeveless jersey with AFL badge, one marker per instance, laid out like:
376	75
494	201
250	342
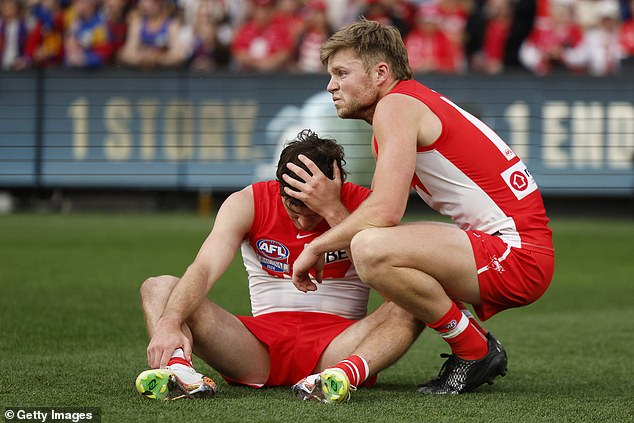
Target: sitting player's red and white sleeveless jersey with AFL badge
273	244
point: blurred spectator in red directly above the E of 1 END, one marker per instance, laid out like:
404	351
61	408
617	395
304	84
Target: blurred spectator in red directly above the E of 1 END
552	38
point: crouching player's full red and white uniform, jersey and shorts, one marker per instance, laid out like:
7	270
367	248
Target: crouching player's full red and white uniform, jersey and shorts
470	175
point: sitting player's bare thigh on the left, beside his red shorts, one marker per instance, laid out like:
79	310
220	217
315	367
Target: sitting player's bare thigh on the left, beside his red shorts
227	345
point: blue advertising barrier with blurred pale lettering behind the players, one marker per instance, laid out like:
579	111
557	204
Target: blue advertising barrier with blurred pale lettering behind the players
187	131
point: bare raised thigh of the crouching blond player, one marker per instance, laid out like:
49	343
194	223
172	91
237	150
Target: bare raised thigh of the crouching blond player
440	250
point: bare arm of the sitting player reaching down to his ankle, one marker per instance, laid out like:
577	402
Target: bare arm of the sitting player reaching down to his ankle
230	227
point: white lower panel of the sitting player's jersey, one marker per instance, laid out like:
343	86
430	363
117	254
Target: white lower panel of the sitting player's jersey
346	297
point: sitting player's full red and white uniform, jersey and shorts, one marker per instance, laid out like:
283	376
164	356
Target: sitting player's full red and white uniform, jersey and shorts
296	327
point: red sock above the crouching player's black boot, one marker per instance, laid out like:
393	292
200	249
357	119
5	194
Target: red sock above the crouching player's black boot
464	339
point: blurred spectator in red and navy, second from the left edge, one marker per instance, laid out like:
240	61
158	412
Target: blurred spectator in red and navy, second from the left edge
44	43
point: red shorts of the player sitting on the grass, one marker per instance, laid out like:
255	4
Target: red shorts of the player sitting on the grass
295	340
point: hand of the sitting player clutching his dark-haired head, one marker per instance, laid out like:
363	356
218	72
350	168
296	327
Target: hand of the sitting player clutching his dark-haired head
320	193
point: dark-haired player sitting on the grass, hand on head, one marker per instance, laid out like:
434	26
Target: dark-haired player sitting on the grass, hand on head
323	344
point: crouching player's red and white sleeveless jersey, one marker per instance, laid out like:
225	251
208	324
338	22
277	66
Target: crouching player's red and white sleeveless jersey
472	176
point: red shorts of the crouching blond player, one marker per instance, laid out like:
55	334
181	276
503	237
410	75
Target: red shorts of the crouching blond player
509	277
